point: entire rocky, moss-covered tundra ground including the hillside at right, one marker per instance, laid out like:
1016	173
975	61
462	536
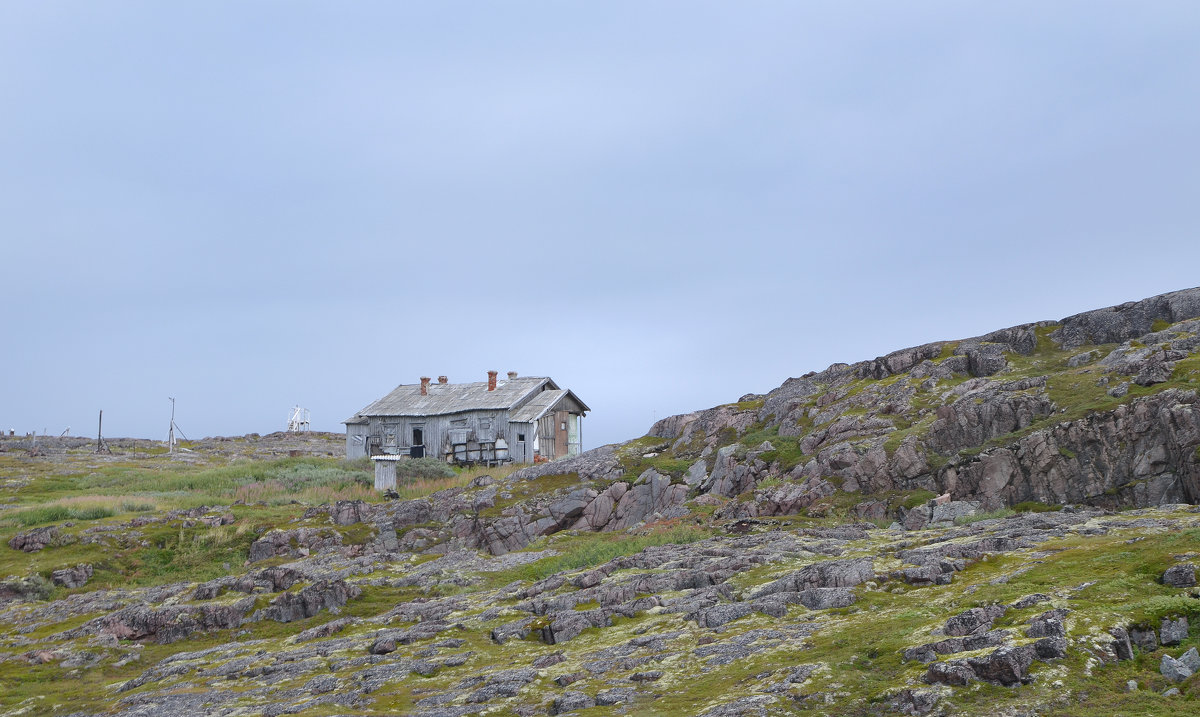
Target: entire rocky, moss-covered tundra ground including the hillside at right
999	526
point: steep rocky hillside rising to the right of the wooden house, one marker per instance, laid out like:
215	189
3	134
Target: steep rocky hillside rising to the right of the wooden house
1099	408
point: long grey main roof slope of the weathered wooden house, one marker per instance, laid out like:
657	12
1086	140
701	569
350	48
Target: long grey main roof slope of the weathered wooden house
454	399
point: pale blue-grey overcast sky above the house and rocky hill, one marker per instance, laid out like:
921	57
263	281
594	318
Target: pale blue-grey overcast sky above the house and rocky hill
663	206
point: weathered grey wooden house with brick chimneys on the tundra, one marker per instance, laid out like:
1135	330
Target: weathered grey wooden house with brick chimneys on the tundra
520	419
